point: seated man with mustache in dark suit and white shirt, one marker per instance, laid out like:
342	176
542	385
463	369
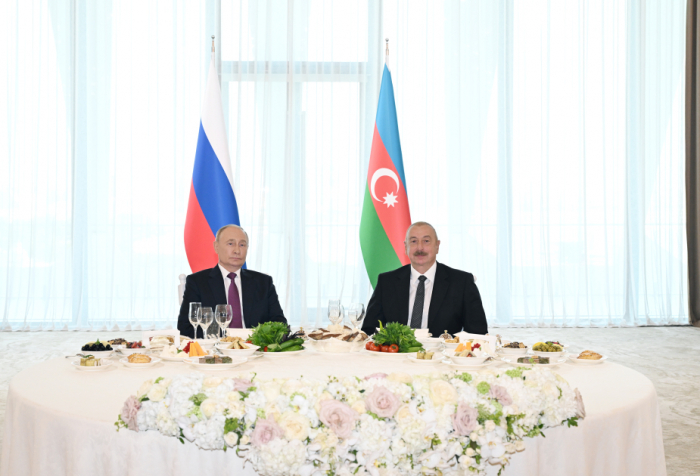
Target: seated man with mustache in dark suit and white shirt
425	293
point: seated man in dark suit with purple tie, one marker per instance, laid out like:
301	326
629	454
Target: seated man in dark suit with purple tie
251	294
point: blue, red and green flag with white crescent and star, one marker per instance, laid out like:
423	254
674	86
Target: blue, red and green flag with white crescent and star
385	213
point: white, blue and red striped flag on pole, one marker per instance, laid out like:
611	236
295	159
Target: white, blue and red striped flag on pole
212	202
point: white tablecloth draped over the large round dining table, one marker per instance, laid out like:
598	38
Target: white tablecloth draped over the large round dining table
60	421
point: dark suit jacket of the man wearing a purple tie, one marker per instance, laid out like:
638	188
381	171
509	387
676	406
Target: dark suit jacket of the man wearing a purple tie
260	302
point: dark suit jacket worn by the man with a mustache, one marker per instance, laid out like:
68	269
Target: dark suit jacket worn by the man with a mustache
455	304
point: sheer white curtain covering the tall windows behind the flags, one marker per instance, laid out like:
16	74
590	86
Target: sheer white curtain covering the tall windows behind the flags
544	140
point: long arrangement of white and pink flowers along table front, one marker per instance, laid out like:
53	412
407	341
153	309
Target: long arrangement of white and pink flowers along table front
440	423
